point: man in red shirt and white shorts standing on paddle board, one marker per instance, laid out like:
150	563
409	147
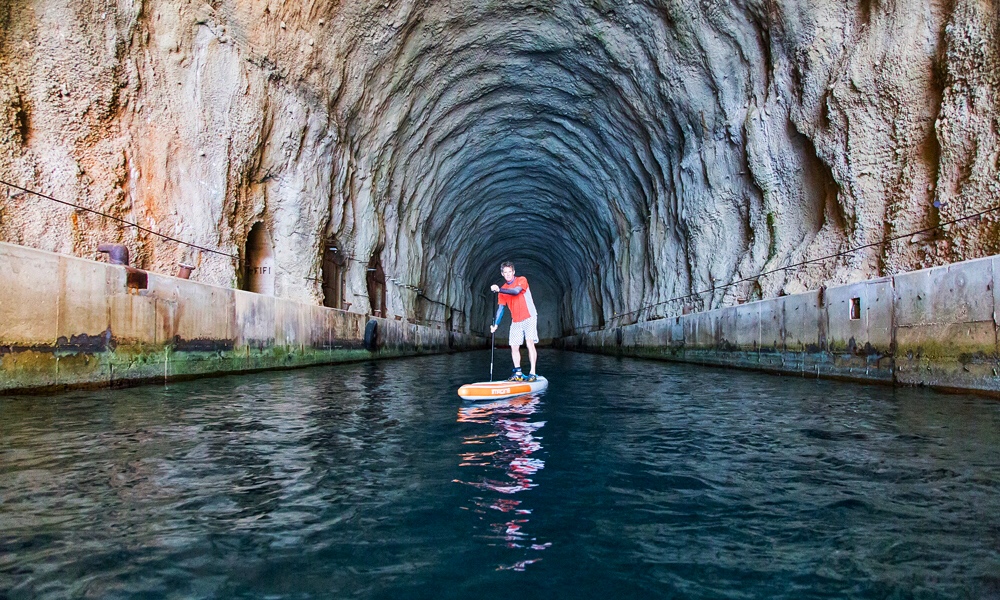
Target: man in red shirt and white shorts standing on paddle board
515	295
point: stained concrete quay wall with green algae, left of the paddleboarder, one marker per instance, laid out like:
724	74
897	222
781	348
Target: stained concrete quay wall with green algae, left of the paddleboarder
66	321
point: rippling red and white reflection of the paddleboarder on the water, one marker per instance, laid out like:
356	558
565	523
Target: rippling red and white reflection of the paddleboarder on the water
515	436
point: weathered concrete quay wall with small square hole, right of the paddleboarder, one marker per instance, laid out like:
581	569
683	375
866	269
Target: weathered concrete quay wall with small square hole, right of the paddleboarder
934	327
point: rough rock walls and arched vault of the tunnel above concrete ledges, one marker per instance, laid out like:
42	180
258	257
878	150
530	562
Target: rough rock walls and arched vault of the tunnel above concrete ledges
621	154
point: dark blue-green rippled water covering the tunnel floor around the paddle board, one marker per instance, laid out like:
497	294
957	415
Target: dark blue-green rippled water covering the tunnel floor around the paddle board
627	479
